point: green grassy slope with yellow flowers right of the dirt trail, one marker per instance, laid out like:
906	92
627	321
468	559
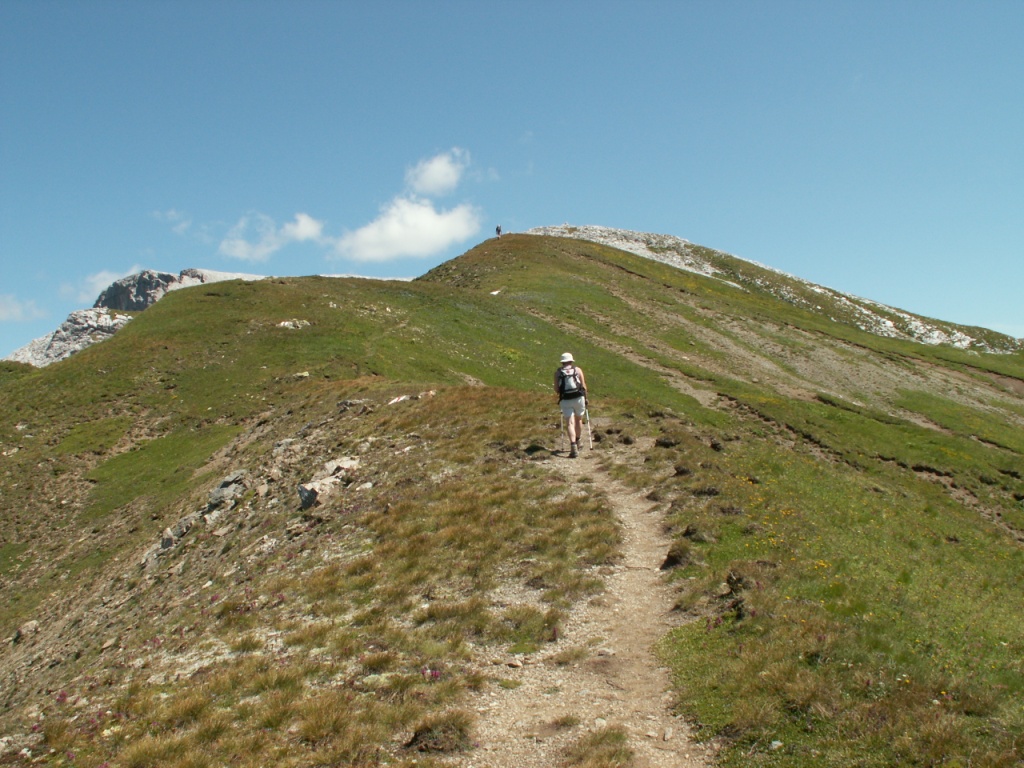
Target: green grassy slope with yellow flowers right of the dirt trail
864	621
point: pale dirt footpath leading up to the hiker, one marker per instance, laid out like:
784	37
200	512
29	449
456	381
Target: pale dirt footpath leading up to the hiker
615	679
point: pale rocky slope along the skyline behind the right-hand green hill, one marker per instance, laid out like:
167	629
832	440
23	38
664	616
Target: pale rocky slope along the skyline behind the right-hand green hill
864	314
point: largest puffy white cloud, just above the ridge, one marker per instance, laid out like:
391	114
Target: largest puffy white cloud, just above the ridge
410	228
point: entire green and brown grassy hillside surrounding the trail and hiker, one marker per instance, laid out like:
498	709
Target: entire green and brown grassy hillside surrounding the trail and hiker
848	510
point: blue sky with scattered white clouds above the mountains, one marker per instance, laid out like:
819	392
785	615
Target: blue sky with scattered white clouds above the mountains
875	148
